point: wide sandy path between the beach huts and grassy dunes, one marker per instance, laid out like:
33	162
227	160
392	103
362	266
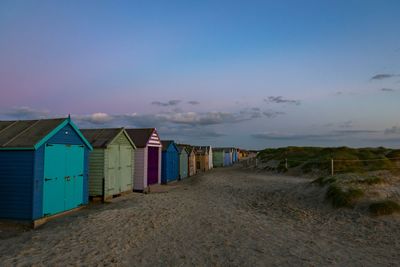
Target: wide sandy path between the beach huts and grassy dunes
223	217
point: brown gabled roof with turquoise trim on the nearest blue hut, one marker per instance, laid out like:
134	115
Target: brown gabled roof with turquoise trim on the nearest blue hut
31	134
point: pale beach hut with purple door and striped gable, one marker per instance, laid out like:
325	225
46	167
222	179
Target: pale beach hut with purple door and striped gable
147	165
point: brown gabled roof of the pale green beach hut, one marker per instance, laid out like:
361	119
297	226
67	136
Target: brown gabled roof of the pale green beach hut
101	138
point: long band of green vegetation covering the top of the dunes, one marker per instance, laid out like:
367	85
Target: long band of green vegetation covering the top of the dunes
318	159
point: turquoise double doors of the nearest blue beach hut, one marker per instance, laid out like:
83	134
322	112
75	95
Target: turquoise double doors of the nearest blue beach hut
63	184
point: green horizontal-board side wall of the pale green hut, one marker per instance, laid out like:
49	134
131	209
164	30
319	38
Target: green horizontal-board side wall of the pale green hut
96	172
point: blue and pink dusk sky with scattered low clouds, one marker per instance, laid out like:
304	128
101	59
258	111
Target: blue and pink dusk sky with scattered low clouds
249	74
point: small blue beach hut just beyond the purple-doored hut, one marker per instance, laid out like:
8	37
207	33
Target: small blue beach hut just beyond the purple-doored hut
169	162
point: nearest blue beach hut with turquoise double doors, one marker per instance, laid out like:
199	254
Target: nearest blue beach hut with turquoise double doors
43	169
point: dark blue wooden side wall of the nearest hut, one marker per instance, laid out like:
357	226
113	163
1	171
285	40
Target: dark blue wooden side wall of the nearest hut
16	184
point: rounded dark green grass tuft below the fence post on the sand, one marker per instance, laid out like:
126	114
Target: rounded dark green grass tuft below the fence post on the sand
343	198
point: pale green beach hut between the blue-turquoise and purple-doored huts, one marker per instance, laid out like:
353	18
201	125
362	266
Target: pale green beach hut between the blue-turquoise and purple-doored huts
110	163
